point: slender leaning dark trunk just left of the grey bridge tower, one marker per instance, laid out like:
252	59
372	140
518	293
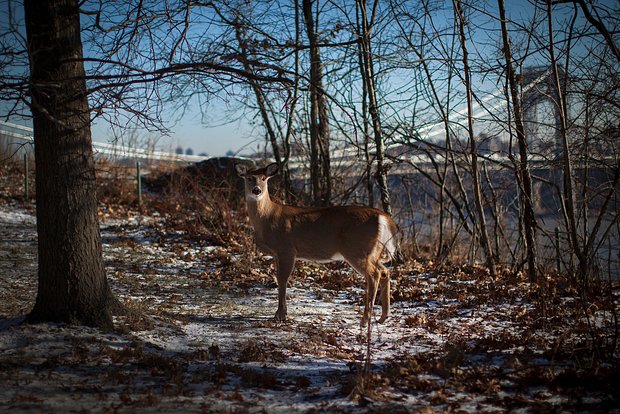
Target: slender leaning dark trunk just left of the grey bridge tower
524	177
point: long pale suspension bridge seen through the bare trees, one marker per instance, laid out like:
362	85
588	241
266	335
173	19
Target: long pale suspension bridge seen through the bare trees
537	90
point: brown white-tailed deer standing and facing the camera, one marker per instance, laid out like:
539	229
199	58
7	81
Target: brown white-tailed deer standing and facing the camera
356	234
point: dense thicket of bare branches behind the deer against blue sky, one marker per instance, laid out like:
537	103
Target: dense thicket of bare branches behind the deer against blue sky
481	129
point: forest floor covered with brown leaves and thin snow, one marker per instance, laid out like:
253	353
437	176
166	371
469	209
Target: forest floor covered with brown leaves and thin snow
205	341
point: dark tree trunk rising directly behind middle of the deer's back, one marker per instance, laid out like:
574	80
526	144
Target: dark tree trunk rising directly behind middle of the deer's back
320	173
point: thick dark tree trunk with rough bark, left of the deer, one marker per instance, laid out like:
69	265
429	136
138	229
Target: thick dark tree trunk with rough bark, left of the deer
72	283
